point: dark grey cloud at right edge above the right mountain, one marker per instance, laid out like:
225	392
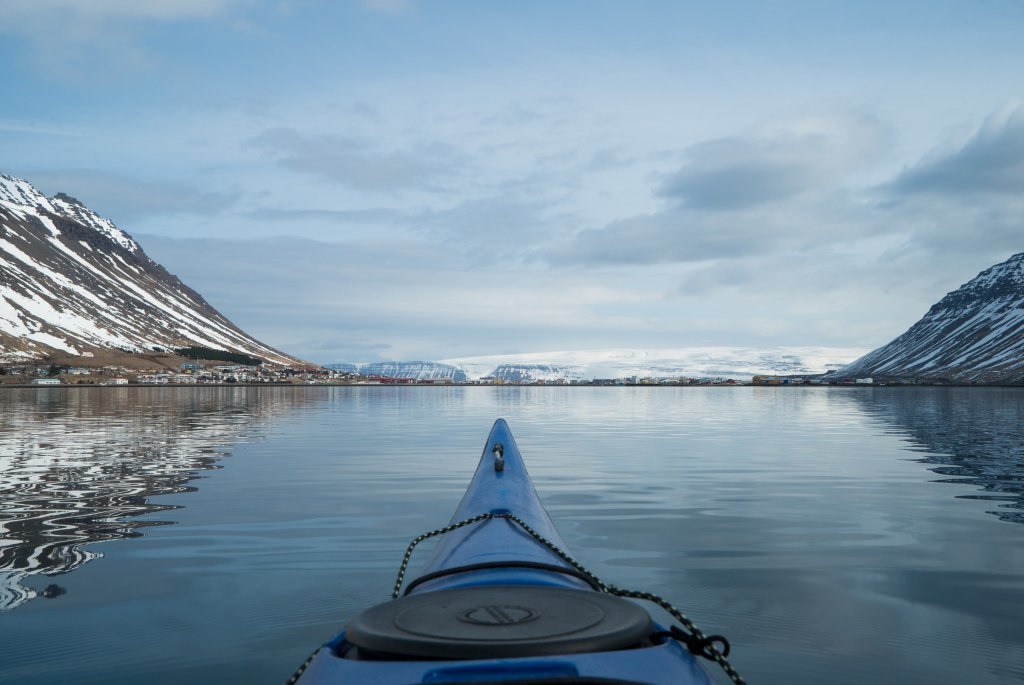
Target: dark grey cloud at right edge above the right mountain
990	163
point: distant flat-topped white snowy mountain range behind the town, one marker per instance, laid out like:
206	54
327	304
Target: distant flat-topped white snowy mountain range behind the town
736	363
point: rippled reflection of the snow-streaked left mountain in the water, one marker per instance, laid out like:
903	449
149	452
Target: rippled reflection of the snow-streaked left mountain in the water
75	463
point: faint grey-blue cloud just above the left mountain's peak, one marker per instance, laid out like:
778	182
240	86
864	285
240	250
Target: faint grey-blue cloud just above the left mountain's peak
129	200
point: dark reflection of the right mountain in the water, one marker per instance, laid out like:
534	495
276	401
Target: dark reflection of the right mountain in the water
975	436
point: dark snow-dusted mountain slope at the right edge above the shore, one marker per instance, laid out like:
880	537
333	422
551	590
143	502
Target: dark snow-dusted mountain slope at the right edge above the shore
973	335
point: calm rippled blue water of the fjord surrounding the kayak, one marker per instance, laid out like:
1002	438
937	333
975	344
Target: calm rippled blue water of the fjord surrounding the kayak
219	535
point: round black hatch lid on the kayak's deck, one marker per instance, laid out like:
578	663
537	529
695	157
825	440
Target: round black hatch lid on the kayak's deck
500	622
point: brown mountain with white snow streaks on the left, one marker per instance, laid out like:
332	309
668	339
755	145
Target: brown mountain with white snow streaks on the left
72	284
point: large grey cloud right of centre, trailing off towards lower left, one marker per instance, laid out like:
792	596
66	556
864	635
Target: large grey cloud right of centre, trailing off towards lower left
780	188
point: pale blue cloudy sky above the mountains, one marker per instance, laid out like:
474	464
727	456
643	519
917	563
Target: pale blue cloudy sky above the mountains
359	181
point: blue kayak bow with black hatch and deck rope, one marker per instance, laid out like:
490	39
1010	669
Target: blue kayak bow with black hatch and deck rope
501	602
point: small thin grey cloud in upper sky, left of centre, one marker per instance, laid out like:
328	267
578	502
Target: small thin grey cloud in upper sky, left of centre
359	164
